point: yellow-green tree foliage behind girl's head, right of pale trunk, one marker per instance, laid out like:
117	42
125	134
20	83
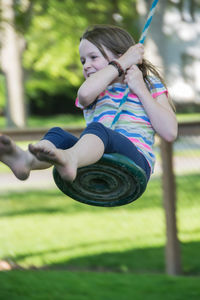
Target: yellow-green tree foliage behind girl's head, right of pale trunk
54	35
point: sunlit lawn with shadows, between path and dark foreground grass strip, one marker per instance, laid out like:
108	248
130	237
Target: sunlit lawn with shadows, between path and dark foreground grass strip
49	229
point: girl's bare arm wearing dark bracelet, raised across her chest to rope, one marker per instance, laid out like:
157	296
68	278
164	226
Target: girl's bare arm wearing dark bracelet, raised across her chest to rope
94	85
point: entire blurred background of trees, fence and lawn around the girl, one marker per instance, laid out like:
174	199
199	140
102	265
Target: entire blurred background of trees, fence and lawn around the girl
124	252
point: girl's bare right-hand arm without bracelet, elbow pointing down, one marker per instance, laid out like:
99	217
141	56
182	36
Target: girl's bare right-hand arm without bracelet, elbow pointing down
159	110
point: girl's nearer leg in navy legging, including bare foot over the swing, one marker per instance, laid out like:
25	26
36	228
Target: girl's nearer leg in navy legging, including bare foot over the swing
94	141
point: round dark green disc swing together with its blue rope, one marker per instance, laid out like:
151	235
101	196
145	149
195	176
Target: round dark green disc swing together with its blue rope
115	179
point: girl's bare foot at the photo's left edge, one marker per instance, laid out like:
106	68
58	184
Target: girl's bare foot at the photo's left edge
14	157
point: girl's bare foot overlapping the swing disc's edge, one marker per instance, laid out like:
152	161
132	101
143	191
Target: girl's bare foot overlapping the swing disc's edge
63	160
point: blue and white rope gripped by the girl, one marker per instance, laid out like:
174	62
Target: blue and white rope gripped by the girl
142	39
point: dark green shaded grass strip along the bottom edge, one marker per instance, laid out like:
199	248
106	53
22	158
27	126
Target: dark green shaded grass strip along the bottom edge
57	285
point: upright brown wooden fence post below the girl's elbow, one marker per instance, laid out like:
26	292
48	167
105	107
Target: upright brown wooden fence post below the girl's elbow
172	252
